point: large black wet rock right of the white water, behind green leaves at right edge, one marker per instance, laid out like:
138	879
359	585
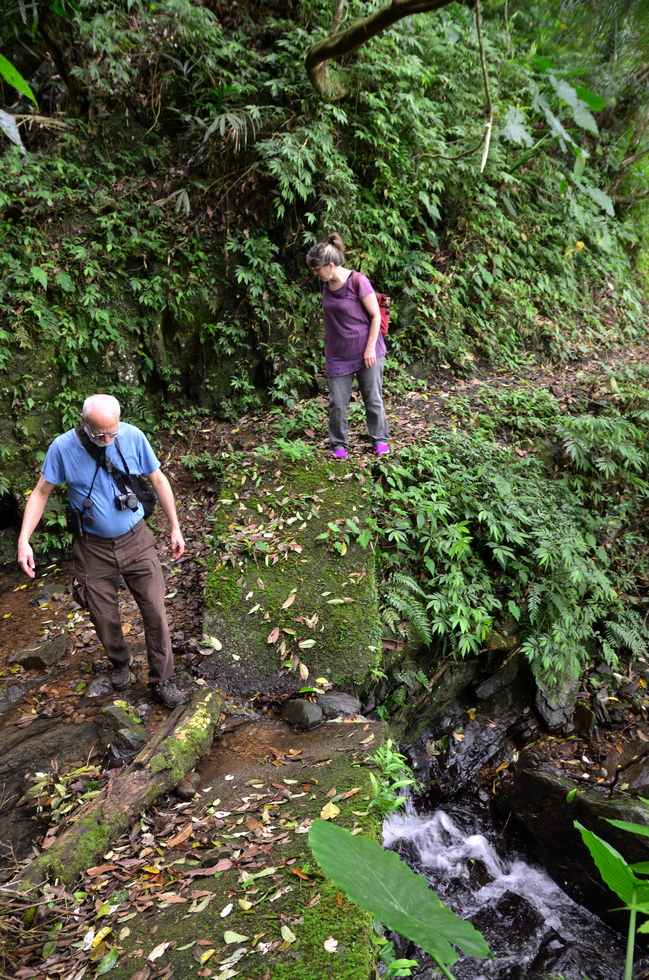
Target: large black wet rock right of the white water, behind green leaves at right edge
539	805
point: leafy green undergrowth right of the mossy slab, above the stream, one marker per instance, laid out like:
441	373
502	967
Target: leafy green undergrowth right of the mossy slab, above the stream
550	538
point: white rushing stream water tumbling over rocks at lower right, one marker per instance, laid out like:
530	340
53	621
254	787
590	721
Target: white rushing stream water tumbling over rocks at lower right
533	928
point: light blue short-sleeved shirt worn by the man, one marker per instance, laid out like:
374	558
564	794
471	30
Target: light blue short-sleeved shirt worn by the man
68	462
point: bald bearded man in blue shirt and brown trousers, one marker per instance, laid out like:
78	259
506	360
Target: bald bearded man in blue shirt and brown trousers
115	541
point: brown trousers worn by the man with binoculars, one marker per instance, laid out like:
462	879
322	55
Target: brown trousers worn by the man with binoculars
98	563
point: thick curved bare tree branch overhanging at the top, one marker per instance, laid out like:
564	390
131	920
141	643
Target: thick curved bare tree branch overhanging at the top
343	42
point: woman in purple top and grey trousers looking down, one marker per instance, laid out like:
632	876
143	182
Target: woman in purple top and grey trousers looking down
354	344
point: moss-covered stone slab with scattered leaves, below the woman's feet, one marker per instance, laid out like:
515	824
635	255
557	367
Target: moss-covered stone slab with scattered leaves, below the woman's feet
269	572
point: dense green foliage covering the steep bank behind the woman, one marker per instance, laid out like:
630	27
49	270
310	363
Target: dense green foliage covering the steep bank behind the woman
155	245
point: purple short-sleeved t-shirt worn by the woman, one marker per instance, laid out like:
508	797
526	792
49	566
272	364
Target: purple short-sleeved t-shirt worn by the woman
347	327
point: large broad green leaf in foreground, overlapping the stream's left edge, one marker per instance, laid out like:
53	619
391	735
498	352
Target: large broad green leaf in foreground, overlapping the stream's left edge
381	883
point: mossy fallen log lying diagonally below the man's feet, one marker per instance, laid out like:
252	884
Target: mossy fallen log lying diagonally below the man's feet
171	753
